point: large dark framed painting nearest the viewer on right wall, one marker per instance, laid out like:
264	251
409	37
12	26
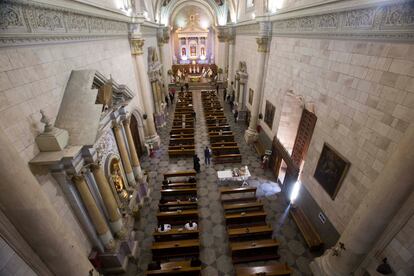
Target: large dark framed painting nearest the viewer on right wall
331	170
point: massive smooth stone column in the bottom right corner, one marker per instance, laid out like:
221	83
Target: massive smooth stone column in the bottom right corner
390	190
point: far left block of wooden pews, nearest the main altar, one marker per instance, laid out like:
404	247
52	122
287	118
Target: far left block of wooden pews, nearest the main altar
182	131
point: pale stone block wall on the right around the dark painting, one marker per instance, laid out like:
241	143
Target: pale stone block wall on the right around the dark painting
363	94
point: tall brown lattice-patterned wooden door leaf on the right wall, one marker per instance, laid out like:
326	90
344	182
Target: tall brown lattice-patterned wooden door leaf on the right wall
303	136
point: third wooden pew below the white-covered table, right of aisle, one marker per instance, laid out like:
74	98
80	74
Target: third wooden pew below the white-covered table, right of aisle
245	219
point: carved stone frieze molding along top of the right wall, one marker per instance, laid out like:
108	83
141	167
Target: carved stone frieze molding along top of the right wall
387	22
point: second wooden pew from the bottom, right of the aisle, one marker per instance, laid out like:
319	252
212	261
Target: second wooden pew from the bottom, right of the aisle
251	251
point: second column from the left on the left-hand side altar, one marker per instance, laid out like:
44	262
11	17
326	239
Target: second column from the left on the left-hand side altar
115	219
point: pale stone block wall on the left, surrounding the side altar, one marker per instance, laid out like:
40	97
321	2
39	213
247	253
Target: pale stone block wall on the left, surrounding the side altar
34	78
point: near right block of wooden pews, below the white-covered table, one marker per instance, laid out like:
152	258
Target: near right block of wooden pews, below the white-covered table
250	237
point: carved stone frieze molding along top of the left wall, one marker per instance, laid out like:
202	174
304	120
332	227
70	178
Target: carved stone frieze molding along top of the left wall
28	23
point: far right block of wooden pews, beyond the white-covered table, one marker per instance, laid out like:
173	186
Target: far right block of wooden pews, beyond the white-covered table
223	145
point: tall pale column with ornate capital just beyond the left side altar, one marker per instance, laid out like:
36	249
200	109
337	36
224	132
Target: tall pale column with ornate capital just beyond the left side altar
136	49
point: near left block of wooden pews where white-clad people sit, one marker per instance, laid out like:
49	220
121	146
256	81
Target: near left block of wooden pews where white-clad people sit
176	252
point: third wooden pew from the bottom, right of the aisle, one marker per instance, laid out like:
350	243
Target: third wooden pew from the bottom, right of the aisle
250	233
